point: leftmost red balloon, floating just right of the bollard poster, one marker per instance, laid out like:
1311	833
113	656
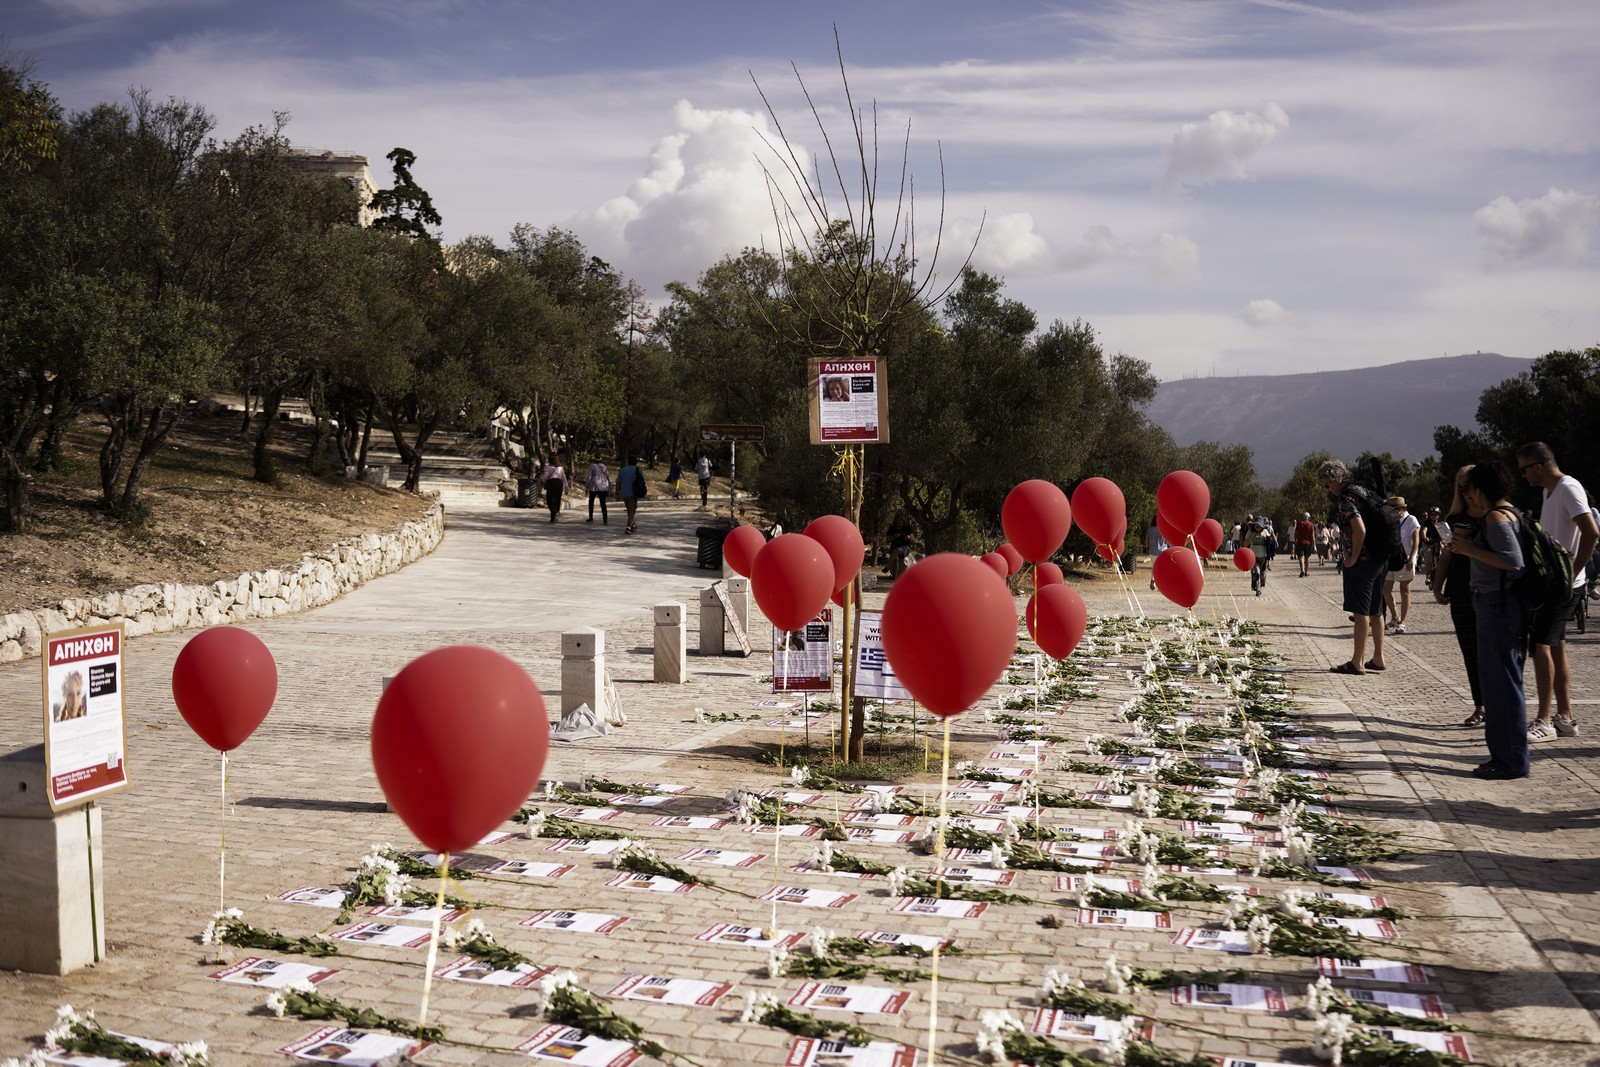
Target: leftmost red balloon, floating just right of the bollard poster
225	682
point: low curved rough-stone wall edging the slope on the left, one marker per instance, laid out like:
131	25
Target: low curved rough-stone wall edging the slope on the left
321	578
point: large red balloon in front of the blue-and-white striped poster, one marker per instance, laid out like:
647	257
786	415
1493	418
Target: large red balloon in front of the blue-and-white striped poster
950	629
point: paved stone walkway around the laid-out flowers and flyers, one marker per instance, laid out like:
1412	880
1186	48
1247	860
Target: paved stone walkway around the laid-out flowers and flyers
1502	879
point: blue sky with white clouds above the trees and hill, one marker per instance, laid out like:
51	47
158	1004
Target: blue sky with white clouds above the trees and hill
1218	186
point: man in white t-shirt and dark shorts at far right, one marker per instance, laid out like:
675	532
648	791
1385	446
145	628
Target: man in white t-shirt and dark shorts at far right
1566	516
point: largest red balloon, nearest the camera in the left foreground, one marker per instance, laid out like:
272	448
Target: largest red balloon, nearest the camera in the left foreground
458	743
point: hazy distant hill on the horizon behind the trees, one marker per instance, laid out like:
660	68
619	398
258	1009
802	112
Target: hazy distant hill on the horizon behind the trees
1284	417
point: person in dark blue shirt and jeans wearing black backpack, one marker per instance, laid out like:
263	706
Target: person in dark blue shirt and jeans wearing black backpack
1502	620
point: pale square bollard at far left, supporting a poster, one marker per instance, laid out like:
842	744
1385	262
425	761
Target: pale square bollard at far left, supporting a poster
54	892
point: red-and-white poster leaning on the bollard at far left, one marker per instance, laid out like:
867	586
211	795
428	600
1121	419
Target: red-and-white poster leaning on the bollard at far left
86	741
